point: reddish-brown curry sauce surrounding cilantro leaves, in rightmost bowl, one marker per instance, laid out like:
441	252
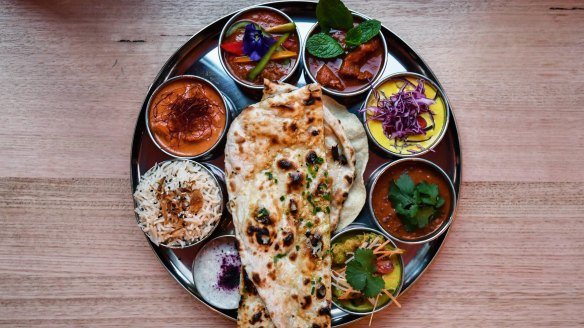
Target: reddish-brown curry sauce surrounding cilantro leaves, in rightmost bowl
384	211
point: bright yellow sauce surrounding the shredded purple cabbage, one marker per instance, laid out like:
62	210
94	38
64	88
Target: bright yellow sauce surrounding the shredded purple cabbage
432	135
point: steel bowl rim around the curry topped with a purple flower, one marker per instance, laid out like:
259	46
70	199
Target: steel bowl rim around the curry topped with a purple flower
246	85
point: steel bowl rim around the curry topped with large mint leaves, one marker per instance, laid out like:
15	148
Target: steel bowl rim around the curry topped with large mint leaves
337	93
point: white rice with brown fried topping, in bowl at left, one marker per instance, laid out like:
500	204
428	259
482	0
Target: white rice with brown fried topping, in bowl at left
167	182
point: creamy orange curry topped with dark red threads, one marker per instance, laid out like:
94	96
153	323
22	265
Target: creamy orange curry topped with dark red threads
187	117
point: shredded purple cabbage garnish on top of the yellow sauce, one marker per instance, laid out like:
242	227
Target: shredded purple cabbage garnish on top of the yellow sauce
400	113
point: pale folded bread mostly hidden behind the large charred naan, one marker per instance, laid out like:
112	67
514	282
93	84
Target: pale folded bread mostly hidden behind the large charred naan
351	134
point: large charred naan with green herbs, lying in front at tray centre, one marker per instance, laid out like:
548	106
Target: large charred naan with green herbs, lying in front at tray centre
277	182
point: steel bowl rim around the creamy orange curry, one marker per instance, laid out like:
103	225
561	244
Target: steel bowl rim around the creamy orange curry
226	104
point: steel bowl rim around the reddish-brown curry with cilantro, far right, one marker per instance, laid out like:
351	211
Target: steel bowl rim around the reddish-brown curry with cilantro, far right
371	188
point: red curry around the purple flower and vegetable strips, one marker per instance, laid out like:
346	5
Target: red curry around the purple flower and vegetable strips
275	70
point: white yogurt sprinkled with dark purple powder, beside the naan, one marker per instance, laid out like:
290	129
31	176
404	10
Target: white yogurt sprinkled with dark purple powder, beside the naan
216	272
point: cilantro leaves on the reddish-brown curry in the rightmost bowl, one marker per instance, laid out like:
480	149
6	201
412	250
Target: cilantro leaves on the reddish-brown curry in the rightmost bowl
416	205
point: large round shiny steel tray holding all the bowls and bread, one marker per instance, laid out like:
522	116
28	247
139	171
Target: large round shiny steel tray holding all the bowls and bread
200	56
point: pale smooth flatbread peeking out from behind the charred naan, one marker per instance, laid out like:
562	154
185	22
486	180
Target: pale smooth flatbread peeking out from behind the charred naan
353	130
